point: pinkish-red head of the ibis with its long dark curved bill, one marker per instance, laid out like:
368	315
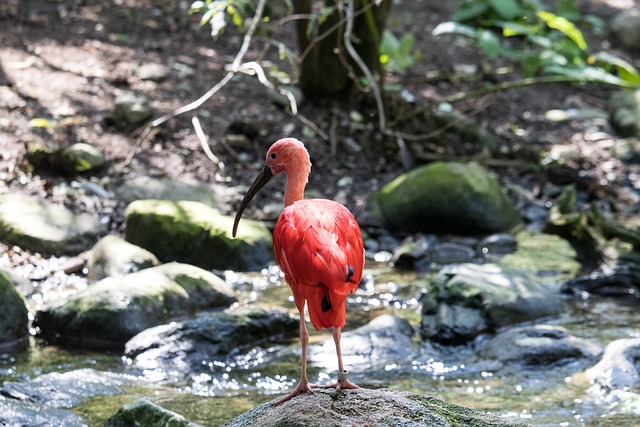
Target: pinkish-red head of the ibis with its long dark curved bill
286	155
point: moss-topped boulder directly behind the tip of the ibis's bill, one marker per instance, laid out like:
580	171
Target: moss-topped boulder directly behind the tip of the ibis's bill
194	233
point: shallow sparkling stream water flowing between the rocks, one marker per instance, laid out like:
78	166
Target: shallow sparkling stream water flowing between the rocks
223	389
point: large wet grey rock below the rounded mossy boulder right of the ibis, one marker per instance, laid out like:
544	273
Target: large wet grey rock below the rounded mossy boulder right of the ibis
467	300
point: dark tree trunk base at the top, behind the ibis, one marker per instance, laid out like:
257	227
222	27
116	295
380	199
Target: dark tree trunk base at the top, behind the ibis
327	68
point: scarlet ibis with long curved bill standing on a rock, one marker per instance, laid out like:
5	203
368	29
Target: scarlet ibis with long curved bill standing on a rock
318	246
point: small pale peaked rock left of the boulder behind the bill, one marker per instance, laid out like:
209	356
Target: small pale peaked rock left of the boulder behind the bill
114	256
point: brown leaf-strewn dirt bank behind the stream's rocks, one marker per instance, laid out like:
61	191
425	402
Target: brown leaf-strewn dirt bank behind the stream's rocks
70	59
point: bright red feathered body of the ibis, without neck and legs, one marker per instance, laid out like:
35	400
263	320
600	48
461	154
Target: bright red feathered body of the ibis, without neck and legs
319	247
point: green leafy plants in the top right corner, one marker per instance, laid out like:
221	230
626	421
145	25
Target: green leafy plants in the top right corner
540	41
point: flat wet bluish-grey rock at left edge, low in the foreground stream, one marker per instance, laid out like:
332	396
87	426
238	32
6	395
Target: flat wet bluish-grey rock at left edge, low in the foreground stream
66	389
